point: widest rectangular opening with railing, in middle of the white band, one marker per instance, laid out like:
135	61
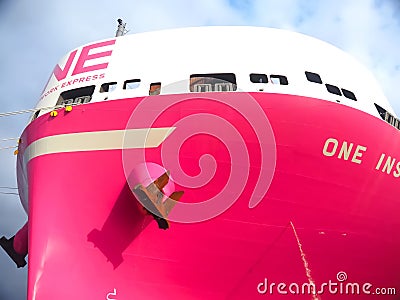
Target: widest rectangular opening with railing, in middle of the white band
215	82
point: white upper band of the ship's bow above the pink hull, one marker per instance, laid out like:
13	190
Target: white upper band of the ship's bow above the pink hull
292	63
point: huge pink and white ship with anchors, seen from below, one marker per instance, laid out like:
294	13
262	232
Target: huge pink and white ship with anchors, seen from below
210	163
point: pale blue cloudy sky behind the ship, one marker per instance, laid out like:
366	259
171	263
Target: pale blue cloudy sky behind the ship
35	34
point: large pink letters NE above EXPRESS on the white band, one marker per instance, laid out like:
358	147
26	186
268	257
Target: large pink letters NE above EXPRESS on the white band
60	73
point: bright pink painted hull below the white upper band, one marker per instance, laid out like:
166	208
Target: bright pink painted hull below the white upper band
321	215
